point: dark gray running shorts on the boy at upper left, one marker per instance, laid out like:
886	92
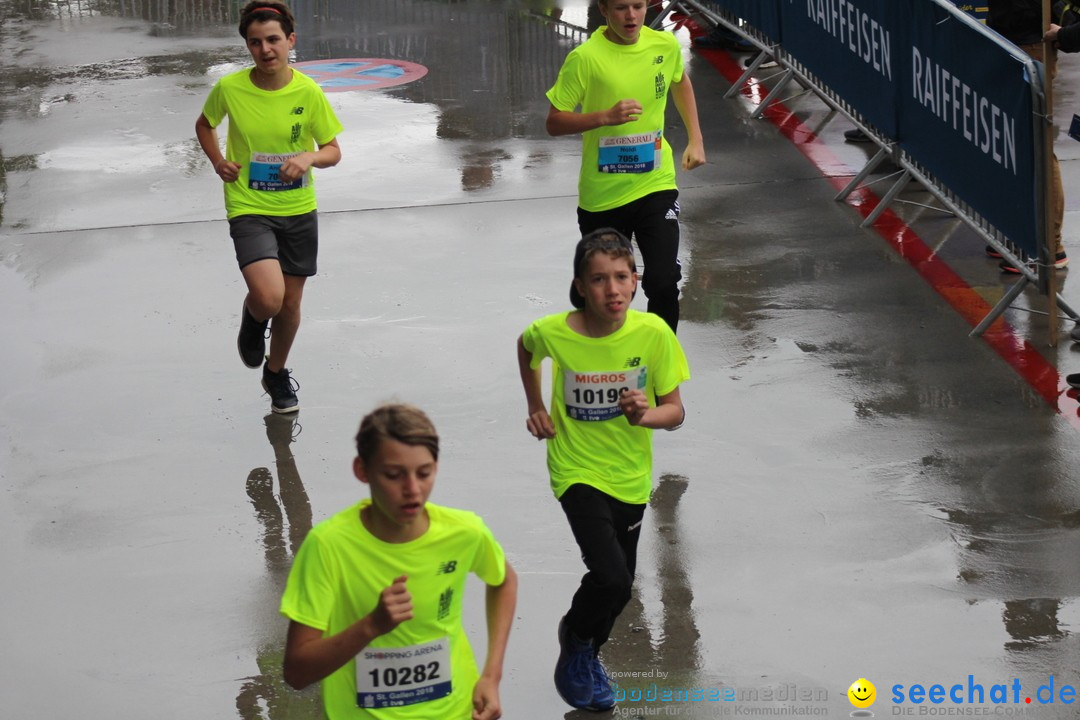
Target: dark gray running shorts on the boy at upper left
292	240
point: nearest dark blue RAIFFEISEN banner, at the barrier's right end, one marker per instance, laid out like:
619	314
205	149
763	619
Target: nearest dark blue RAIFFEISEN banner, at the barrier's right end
966	114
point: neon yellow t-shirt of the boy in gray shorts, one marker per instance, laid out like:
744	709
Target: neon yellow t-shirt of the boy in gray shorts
266	128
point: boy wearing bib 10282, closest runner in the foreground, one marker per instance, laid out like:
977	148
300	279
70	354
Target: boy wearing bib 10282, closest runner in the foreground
376	592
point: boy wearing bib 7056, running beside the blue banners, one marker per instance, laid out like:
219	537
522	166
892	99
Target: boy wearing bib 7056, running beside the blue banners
620	78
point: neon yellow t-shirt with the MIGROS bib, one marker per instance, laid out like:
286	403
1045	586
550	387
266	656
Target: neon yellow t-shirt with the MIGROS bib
595	443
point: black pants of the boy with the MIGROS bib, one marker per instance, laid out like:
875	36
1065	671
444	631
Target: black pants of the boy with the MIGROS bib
607	533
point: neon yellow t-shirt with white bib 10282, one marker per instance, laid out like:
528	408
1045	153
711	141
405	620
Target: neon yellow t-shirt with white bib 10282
425	669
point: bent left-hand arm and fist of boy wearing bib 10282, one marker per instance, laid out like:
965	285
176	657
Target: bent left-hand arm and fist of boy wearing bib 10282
309	657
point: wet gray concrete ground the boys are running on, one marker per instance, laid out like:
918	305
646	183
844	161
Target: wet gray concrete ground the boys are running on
860	491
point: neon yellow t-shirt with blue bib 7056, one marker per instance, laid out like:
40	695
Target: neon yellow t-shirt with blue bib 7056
622	164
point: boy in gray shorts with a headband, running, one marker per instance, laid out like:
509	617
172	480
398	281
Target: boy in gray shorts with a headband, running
277	117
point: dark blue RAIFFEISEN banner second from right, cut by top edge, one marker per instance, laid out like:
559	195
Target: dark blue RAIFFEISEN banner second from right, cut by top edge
854	47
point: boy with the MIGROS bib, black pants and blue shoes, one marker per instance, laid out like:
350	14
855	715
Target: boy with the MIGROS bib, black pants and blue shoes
609	364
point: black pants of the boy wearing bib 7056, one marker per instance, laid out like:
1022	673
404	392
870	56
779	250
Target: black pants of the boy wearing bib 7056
653	223
